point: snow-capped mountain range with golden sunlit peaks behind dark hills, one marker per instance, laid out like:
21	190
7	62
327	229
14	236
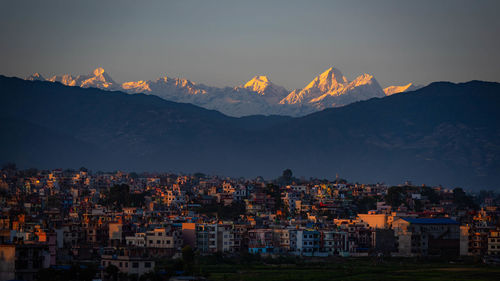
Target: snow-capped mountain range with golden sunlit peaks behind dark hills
258	96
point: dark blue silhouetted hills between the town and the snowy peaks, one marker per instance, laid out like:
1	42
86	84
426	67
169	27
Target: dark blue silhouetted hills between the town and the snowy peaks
441	134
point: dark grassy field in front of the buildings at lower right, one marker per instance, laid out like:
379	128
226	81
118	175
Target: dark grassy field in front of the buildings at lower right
356	269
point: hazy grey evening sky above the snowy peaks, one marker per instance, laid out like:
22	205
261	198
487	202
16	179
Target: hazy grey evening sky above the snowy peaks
225	43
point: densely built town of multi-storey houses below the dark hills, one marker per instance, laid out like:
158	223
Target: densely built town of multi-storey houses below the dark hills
155	226
